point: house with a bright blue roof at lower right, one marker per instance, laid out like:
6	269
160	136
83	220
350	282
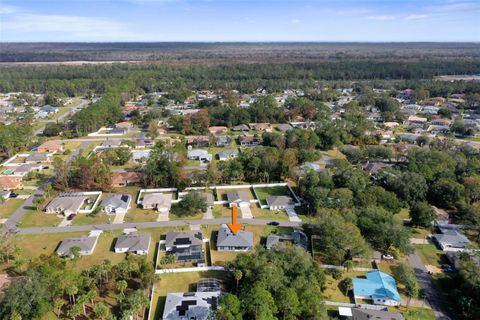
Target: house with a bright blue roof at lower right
379	287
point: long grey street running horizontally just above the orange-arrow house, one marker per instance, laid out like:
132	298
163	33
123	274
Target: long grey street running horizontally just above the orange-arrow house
173	223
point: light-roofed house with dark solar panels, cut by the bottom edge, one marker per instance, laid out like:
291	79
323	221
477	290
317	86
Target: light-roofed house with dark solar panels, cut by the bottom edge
190	305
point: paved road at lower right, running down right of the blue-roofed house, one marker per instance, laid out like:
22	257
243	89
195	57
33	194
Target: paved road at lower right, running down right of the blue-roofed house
432	294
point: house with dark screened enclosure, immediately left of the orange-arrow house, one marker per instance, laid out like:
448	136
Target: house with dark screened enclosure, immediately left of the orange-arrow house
185	245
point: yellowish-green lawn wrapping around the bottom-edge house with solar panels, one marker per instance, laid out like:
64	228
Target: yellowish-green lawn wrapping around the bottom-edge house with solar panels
180	282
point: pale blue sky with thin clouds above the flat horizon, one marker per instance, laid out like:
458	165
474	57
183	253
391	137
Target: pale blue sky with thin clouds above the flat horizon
239	20
